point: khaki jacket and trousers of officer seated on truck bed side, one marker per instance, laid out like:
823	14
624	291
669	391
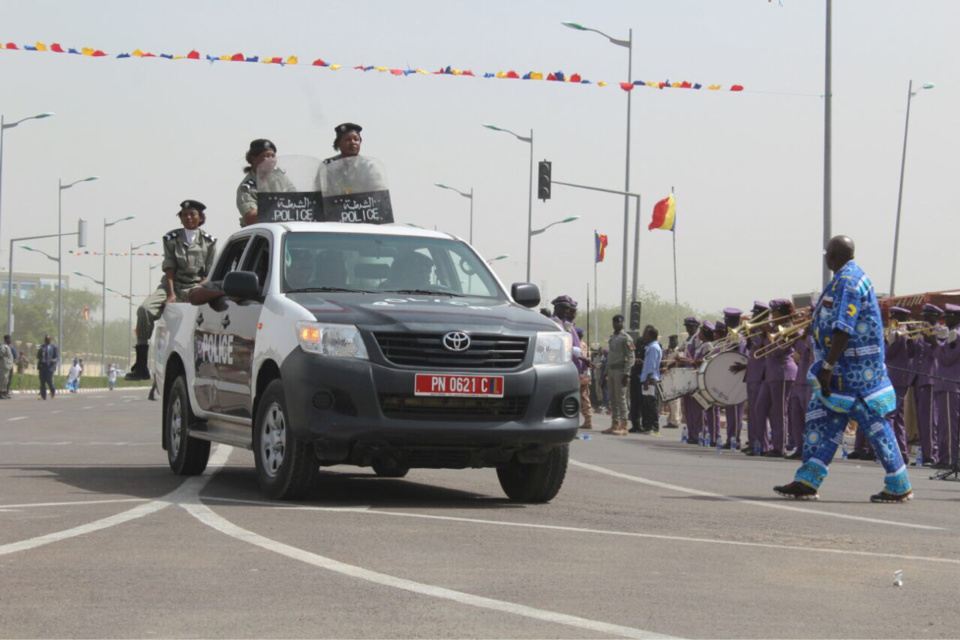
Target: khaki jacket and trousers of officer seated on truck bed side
191	263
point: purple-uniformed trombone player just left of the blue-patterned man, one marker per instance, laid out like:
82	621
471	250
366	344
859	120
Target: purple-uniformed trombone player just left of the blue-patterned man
779	374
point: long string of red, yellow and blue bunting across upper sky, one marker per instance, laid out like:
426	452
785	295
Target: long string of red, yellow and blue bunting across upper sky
556	76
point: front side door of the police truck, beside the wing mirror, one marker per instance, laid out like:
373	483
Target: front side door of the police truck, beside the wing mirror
238	330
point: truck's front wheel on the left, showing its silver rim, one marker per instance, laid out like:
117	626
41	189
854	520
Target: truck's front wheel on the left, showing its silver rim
286	467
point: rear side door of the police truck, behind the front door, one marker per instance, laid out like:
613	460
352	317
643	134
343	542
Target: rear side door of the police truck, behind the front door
206	334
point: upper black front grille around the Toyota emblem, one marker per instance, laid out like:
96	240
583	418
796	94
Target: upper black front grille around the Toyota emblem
427	350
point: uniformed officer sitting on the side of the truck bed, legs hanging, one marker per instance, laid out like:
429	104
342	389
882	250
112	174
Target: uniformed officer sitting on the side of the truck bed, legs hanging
188	255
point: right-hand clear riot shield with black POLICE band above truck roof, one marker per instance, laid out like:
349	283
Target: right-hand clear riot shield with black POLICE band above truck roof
355	190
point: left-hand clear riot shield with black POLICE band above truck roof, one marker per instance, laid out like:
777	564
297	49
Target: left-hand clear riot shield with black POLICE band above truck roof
288	192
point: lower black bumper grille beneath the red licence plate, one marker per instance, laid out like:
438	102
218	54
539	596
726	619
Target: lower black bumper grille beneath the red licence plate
410	407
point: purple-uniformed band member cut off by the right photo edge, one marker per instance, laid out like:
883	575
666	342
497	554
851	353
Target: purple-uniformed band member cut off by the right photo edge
948	389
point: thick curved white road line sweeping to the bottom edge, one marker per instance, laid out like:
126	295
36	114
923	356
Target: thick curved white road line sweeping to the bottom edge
207	516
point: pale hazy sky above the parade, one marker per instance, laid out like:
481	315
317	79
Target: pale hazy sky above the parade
747	167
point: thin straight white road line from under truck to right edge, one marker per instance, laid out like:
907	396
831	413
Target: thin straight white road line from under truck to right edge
551	527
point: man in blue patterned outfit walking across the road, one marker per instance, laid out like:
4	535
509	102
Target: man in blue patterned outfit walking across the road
849	380
